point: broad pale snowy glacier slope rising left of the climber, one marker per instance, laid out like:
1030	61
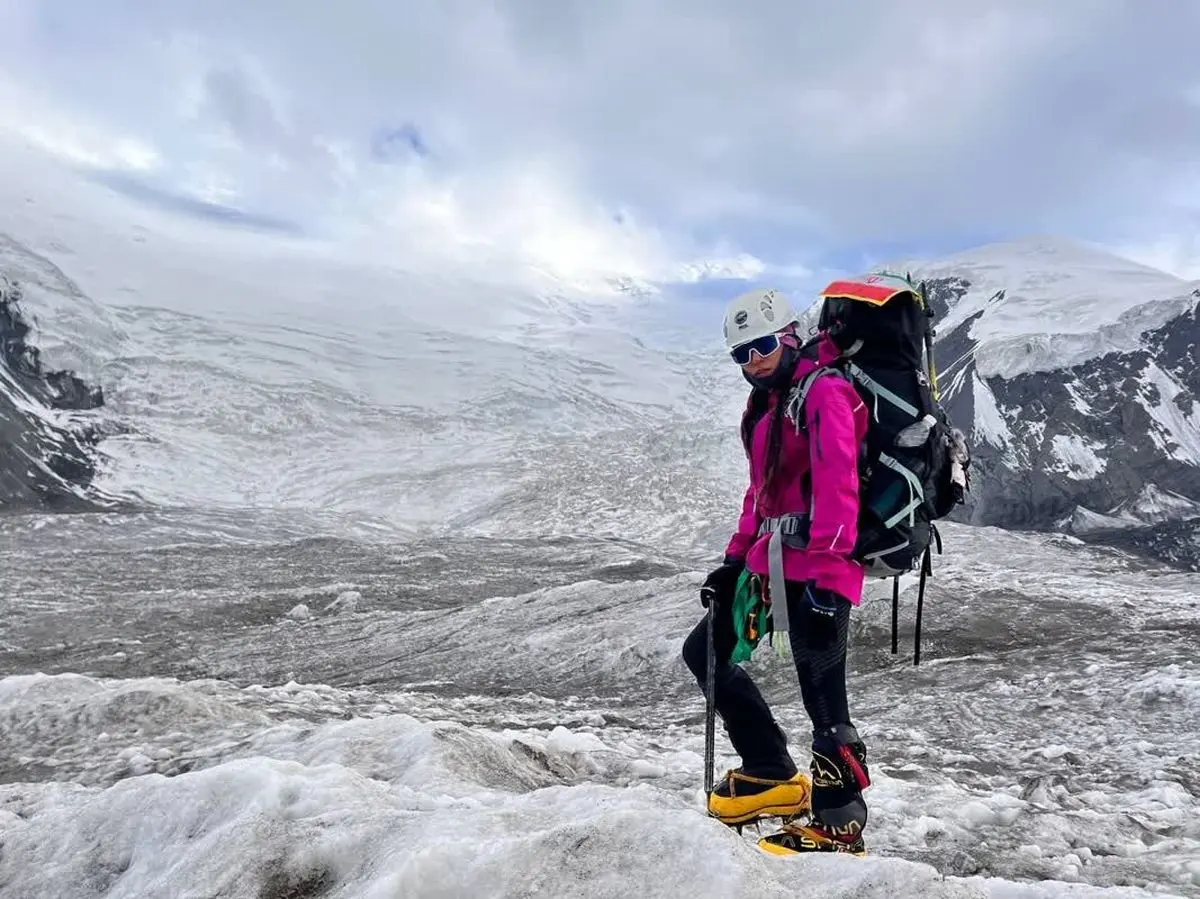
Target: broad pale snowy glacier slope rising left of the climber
253	373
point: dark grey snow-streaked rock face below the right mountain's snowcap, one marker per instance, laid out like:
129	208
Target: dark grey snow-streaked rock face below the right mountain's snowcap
1107	448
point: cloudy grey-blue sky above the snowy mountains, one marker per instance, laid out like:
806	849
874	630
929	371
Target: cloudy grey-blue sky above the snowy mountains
641	136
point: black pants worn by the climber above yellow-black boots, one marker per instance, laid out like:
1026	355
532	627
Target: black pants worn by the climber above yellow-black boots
748	721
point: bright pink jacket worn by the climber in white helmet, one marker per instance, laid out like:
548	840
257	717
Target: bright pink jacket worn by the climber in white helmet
818	475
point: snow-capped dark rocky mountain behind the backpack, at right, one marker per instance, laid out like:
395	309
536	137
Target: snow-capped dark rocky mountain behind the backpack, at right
1077	374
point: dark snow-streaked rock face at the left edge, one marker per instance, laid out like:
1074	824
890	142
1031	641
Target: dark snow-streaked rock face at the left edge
47	457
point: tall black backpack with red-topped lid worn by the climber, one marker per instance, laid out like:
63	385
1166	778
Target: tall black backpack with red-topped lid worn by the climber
914	464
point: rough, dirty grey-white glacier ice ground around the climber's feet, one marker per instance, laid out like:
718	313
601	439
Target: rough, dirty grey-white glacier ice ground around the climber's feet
545	736
